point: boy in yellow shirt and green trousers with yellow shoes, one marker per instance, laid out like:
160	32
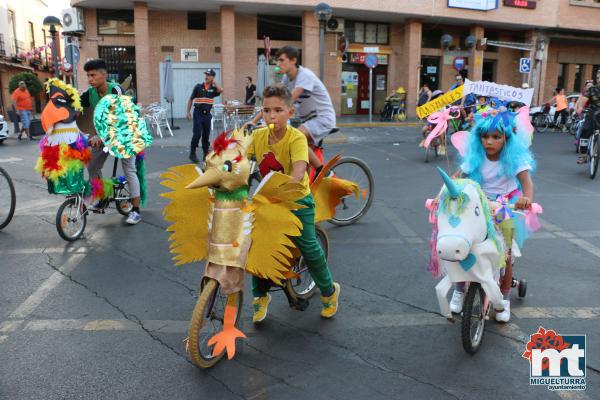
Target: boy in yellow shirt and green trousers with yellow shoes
280	147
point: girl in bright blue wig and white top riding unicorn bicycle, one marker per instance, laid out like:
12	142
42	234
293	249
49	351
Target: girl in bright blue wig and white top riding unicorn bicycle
497	157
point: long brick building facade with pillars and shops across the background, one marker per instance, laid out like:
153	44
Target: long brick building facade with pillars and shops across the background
483	39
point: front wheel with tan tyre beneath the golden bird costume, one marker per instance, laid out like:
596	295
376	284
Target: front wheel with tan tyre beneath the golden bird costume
207	320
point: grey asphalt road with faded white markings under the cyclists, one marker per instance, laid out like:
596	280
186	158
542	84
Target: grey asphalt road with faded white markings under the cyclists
105	317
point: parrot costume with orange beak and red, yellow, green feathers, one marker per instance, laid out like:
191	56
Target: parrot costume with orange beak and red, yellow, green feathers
64	150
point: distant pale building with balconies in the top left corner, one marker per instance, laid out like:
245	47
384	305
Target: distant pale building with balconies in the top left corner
23	44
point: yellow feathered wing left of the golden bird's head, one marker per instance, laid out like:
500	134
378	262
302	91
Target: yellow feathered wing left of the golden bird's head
188	211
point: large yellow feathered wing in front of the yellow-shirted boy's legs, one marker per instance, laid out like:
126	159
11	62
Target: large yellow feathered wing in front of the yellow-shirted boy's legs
273	226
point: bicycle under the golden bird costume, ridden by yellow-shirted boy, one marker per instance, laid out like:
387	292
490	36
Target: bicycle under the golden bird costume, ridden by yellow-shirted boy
208	315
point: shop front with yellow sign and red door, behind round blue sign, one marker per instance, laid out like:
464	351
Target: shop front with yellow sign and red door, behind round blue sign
355	80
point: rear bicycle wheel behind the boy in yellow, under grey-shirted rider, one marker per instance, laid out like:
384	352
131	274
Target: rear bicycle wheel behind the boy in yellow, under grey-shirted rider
351	208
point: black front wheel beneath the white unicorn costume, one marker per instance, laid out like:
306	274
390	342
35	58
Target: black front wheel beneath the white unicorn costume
473	321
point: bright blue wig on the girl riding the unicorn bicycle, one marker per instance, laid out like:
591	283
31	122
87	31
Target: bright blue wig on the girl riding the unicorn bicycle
513	155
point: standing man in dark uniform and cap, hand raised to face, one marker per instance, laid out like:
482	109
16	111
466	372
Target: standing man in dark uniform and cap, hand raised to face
202	100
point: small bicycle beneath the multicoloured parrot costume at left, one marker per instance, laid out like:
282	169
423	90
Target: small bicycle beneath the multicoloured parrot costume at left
71	217
